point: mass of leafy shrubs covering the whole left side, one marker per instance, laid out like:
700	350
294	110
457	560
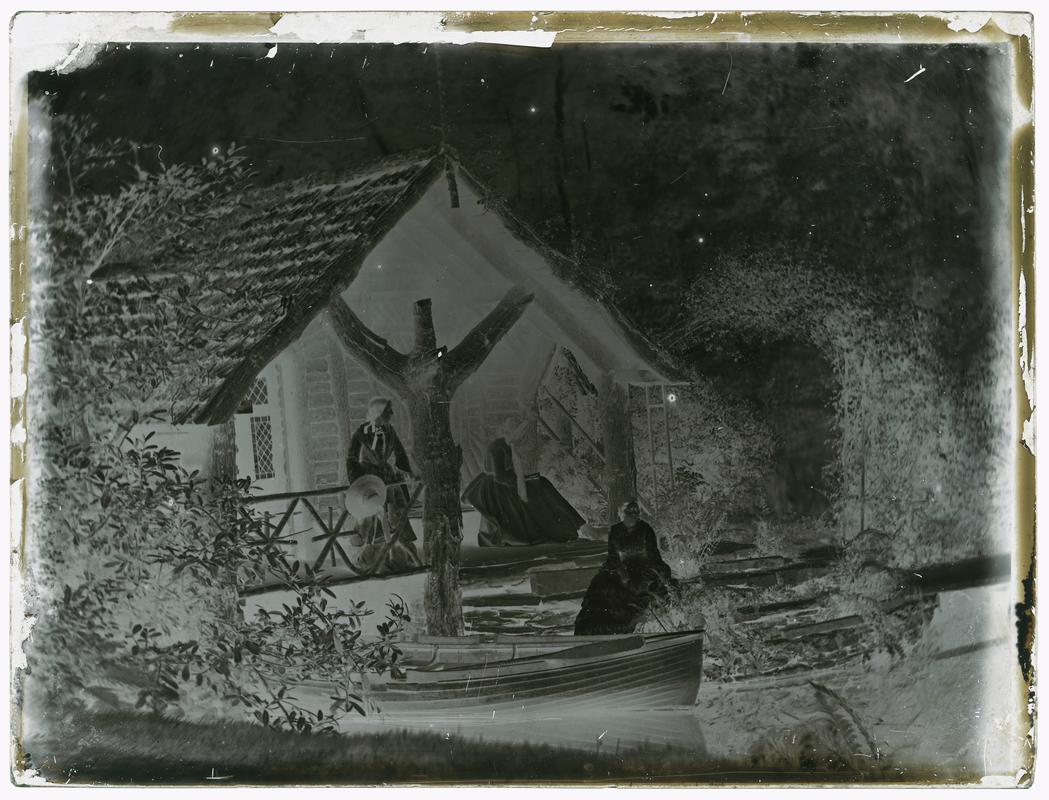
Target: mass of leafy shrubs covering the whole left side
134	560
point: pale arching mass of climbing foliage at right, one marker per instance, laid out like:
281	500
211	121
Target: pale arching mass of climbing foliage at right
920	447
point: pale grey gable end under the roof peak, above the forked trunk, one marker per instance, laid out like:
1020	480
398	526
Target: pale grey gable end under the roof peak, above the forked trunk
467	258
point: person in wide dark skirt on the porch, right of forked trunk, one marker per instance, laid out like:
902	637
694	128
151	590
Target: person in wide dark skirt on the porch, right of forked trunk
518	505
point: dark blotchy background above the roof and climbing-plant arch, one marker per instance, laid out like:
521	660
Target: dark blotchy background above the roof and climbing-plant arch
649	165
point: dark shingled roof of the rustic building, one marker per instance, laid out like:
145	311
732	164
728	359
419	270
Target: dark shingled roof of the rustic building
275	256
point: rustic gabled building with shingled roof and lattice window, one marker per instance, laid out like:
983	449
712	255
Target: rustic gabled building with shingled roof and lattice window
275	396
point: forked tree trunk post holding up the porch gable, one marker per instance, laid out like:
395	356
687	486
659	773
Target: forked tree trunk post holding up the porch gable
426	380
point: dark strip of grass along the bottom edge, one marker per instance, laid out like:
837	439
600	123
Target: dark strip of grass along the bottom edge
117	750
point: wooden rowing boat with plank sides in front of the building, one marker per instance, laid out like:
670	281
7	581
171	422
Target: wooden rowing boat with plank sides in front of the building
464	677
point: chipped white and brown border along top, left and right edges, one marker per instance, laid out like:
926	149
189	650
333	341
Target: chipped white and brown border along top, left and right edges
67	42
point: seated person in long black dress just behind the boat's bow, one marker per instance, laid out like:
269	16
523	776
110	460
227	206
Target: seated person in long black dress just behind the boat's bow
633	574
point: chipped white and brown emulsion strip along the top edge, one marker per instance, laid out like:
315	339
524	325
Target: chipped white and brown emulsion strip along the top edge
69	41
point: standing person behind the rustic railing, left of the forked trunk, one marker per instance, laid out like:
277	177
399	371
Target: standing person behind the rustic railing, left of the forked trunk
373	448
